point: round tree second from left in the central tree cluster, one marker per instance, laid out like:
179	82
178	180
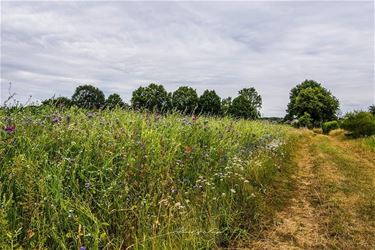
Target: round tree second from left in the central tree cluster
185	100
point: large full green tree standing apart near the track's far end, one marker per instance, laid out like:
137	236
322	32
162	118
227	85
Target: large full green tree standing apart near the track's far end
312	98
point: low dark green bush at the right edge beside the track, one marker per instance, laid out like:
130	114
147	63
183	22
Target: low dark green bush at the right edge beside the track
359	124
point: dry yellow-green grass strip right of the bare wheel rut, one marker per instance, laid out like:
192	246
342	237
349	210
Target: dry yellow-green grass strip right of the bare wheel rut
346	197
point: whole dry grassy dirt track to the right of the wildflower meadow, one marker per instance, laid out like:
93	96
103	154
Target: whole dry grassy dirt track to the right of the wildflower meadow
334	202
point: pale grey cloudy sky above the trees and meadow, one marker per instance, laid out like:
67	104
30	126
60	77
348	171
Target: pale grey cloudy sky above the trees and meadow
49	48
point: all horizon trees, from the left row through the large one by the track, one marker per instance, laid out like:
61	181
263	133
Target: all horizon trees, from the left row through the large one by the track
310	103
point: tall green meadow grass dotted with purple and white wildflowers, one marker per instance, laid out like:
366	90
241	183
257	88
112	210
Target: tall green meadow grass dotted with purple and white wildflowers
118	179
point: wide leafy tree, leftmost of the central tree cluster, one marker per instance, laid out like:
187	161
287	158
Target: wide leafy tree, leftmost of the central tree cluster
153	97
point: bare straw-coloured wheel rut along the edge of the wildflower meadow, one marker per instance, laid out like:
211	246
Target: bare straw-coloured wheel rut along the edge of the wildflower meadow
296	227
